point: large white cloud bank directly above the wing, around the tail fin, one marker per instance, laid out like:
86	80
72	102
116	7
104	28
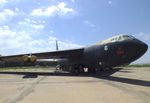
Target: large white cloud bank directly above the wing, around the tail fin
16	42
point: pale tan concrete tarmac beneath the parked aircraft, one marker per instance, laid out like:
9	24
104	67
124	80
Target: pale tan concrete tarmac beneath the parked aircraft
121	85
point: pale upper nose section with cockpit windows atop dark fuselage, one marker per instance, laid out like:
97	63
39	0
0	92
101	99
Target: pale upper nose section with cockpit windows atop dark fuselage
117	39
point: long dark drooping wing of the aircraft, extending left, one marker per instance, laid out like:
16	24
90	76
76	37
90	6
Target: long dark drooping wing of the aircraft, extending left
72	53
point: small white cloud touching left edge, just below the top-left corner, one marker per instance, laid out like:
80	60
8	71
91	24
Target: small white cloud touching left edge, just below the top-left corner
6	14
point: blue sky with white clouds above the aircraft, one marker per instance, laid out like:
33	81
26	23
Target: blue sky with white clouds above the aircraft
28	26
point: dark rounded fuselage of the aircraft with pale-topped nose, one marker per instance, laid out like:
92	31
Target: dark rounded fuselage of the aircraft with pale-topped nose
112	52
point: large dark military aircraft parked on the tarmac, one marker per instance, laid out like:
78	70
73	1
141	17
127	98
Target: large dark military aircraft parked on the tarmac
109	53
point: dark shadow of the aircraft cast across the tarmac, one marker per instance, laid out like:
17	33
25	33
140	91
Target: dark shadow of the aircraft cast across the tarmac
107	75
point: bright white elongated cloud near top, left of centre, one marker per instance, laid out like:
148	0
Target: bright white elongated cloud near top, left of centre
59	9
